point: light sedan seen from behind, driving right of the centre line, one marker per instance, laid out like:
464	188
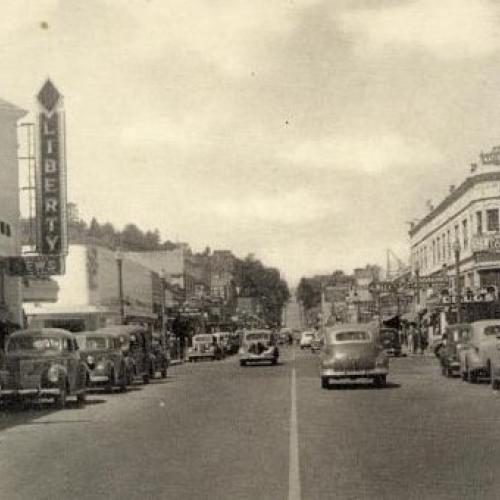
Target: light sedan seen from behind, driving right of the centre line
353	351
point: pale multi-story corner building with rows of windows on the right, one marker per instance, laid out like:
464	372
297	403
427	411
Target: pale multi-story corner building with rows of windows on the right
466	221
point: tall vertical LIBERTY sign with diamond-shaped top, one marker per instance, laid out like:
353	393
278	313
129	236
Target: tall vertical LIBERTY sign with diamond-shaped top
51	174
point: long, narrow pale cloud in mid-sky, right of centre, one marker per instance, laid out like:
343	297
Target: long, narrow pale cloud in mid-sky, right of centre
367	154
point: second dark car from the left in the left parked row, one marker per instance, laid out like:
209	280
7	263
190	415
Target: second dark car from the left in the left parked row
102	353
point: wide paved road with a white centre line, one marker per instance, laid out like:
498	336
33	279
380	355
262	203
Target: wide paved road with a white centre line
219	431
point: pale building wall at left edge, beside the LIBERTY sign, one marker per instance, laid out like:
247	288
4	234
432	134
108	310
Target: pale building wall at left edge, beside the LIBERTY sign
10	241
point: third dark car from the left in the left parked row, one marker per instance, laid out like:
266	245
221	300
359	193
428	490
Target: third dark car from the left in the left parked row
135	343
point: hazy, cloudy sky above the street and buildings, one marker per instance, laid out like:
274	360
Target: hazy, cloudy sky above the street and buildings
306	132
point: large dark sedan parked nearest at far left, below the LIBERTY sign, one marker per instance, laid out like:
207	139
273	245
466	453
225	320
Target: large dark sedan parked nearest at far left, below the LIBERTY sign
43	363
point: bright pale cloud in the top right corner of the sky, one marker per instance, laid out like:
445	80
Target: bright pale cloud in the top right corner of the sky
449	29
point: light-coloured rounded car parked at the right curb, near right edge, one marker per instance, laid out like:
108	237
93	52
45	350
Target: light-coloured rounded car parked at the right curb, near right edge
476	359
